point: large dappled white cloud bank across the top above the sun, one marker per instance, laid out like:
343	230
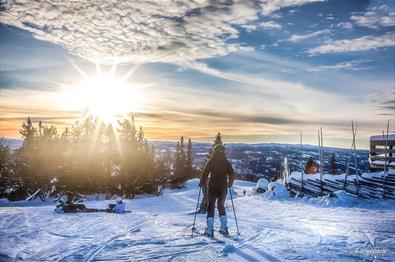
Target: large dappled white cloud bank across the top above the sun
141	31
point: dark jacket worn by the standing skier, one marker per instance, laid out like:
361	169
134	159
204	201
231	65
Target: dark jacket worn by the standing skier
220	170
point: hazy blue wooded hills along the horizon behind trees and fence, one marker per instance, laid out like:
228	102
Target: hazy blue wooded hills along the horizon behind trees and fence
256	160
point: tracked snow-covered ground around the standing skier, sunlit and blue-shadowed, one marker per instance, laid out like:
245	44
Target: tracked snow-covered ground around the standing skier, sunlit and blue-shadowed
159	228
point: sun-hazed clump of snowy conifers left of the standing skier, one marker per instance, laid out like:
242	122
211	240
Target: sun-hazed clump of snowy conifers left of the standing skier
90	157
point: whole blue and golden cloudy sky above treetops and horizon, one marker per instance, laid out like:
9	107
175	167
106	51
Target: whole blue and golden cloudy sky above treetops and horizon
256	71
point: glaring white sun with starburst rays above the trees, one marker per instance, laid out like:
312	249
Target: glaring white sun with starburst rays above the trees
106	95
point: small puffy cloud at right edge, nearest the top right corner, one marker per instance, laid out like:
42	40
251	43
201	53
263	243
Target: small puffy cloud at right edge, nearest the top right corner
374	19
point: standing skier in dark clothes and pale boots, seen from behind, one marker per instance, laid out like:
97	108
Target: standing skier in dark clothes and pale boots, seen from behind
220	175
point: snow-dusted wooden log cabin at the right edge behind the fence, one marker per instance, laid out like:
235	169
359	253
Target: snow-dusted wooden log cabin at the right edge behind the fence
382	152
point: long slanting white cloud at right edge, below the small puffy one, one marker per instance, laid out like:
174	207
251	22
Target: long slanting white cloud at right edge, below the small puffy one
354	45
